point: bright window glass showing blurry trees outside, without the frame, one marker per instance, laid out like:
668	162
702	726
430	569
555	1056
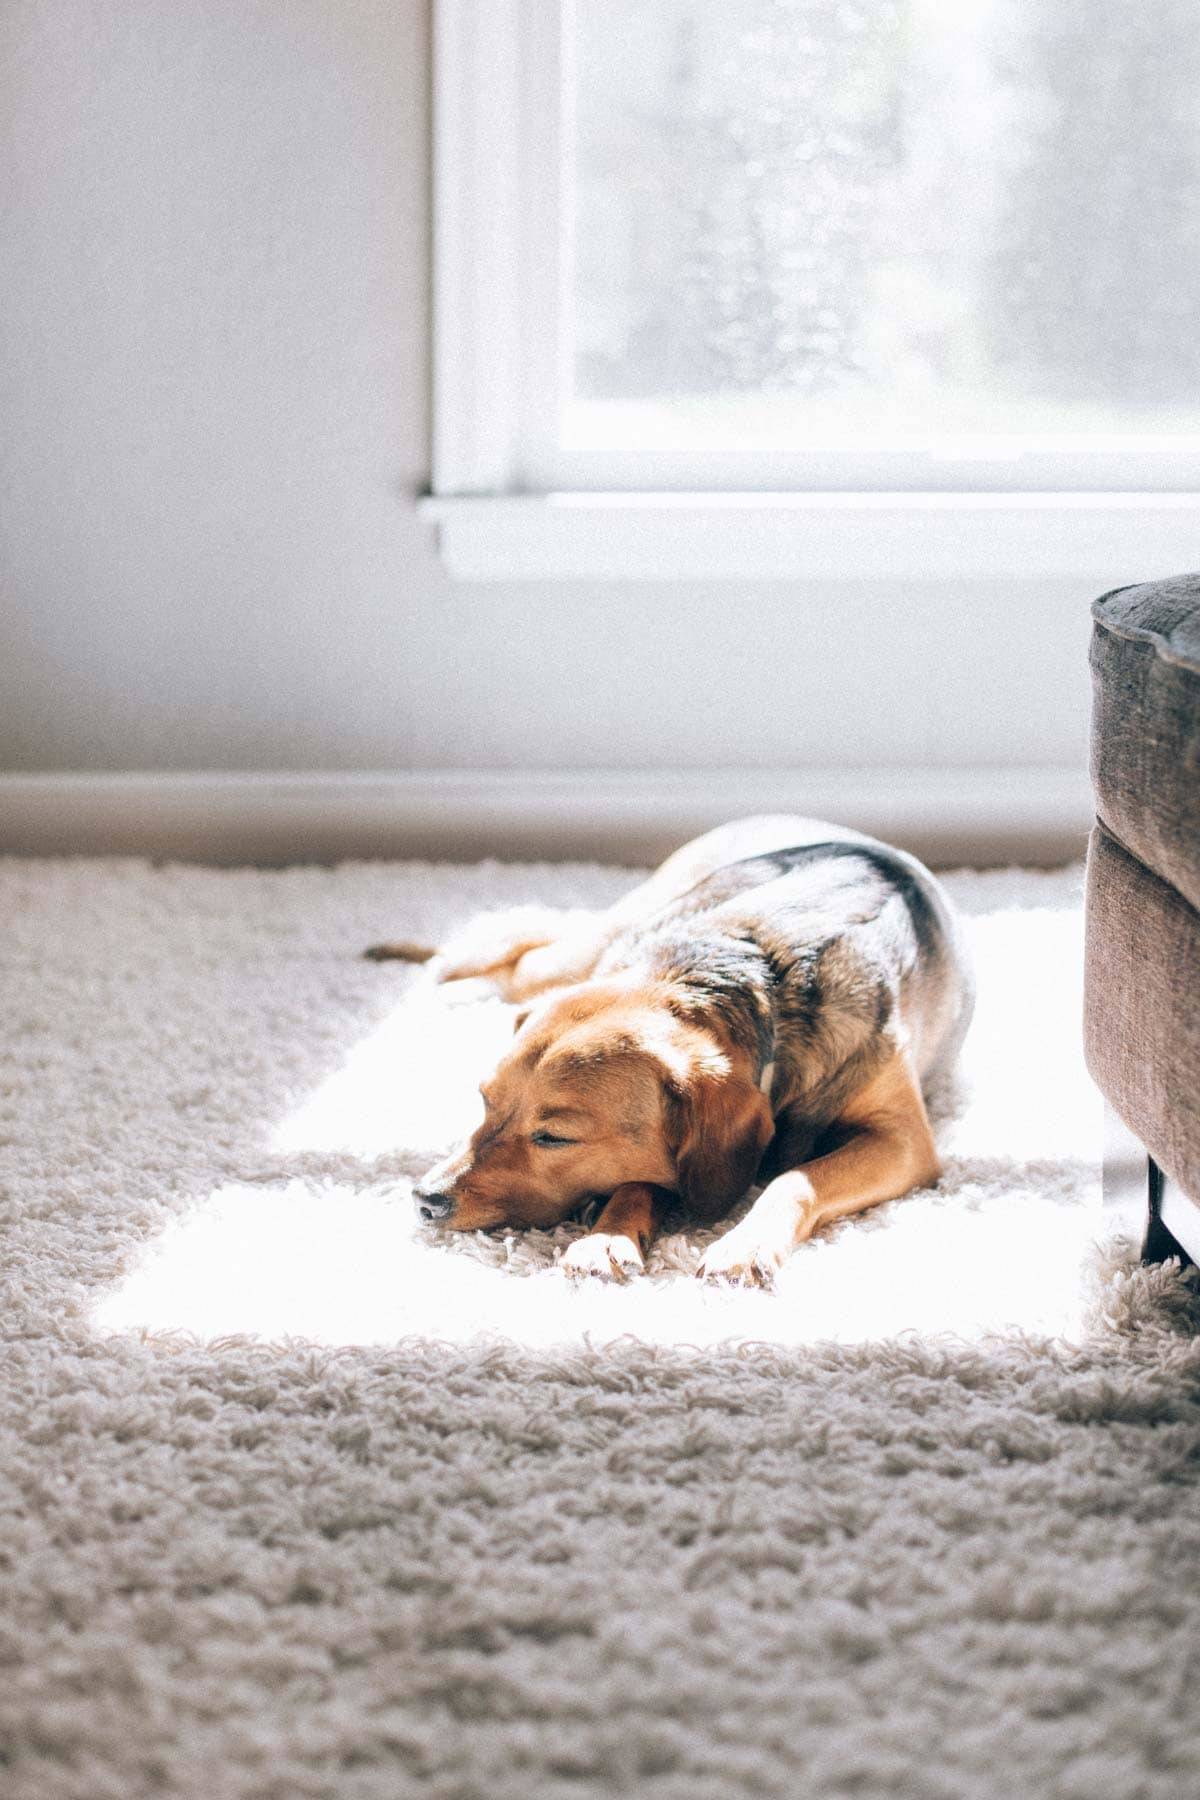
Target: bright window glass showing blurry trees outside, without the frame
846	222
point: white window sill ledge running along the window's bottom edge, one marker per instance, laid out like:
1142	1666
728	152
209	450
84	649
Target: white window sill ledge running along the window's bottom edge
816	537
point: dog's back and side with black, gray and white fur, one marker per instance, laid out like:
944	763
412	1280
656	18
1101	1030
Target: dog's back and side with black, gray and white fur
843	946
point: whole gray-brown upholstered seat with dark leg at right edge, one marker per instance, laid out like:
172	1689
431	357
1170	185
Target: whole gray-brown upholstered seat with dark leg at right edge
1143	892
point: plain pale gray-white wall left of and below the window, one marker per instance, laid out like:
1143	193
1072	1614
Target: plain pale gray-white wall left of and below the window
215	393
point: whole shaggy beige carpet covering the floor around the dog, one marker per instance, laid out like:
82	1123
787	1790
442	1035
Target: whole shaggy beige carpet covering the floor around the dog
300	1500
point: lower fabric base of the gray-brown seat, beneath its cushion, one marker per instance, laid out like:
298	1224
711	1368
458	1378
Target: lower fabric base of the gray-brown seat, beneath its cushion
1142	1018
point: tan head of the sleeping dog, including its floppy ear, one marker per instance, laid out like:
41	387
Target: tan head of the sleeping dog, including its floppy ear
604	1084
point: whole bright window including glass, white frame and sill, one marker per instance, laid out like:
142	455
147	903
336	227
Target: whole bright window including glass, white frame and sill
819	285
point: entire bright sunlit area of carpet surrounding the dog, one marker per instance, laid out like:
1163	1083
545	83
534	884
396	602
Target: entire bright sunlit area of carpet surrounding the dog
1003	1245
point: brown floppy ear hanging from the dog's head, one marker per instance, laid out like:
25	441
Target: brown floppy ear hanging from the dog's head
721	1128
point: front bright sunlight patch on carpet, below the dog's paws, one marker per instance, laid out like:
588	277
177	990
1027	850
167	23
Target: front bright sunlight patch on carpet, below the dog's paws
346	1268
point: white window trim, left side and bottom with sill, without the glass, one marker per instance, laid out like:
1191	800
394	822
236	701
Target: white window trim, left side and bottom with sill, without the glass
499	501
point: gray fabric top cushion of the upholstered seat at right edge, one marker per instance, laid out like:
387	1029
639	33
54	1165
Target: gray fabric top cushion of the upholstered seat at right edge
1147	724
